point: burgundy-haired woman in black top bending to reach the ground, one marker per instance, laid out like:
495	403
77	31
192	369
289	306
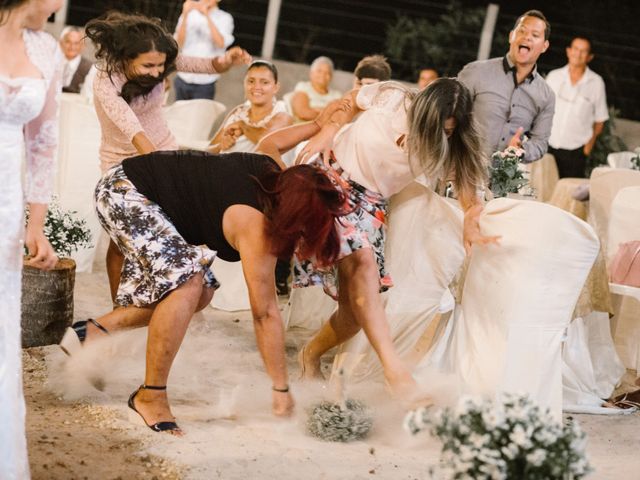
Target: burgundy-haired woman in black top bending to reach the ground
172	212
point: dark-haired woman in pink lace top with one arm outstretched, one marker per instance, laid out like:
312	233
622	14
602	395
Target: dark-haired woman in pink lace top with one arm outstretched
135	54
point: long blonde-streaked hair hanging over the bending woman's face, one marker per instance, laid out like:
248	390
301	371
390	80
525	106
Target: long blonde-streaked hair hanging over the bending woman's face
439	157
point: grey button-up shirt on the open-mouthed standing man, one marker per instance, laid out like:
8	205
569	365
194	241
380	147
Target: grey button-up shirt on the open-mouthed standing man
501	106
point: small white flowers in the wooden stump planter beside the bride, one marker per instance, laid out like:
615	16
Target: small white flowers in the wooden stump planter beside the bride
65	233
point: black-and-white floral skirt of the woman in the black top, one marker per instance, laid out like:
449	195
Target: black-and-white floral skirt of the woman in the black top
157	260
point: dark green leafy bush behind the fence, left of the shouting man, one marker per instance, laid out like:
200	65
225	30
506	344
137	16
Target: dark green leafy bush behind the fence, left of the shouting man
446	44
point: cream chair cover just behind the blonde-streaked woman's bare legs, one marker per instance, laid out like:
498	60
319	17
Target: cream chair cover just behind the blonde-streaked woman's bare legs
423	253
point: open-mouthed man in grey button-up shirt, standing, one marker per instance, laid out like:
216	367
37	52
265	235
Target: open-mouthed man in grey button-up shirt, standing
510	97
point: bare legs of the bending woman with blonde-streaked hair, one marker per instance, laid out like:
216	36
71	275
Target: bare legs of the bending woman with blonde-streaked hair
359	287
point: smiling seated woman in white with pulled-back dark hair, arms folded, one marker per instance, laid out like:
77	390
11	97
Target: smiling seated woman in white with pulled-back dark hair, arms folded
247	123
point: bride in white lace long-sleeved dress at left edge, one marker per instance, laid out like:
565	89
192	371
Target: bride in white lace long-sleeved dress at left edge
30	79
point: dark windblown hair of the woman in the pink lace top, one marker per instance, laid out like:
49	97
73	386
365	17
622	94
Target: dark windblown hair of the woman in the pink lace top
120	38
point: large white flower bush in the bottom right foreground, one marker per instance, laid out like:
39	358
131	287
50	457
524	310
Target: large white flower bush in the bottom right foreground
510	438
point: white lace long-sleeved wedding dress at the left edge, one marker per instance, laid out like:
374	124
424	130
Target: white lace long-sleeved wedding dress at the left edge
28	124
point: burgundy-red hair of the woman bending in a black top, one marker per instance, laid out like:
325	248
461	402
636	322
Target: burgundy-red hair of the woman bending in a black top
302	205
